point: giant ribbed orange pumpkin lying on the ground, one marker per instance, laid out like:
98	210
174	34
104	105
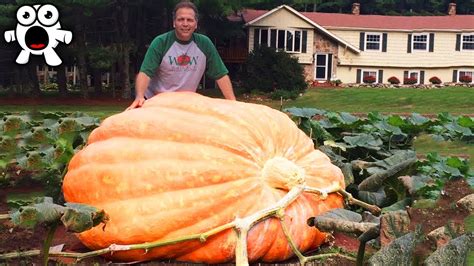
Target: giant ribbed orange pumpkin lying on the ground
184	164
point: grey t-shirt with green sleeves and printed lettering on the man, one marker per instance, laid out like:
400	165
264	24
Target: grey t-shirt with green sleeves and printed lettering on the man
174	65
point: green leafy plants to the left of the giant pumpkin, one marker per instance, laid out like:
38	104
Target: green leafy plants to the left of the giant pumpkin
37	147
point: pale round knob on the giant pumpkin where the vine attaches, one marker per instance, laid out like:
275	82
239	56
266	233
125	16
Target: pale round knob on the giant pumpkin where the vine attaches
282	173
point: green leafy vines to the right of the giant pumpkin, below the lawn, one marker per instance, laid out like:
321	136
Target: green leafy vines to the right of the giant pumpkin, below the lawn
378	149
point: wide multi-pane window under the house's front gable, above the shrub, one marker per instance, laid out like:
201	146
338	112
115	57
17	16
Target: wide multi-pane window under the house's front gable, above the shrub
284	40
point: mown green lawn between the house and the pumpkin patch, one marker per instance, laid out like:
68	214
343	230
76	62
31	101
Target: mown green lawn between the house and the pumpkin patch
455	100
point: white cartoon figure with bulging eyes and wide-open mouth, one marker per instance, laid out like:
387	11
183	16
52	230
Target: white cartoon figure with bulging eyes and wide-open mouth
38	32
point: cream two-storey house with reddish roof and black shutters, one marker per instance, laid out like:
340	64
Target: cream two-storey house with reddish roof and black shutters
351	47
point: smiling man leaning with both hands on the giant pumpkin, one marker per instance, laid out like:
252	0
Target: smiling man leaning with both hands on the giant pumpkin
176	60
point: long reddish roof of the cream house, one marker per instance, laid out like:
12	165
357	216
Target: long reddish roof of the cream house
456	22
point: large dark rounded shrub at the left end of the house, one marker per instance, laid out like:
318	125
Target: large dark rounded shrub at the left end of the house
267	70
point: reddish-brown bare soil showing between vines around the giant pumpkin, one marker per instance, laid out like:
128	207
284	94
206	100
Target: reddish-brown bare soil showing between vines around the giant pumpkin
17	239
